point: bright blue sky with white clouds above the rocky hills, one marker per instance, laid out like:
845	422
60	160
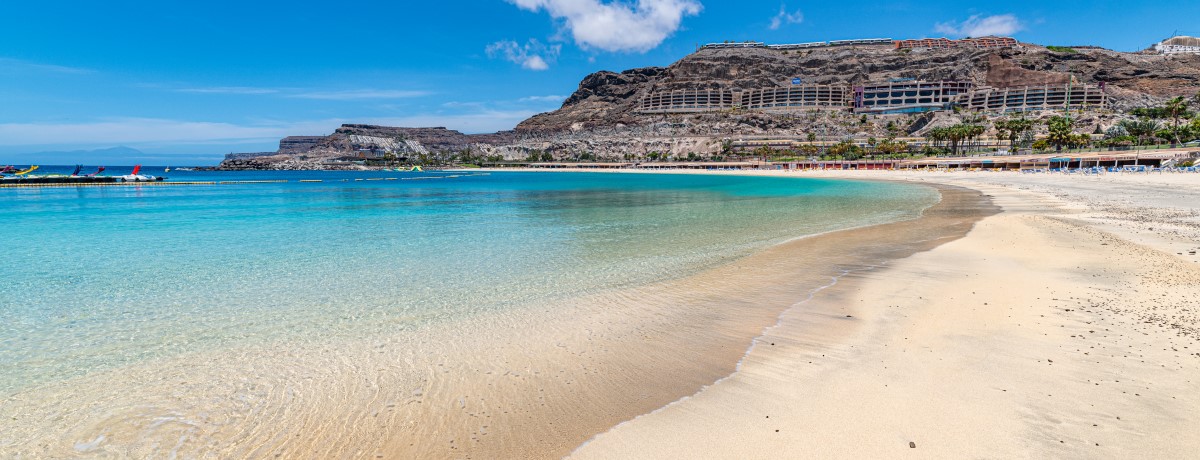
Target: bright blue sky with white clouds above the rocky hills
189	82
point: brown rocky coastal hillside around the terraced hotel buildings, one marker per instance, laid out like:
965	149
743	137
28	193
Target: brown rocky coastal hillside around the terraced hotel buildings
601	120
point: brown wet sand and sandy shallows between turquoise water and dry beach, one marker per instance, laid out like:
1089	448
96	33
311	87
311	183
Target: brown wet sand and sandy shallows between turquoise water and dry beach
532	384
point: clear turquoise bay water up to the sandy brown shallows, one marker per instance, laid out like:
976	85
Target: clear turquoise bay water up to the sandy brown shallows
98	278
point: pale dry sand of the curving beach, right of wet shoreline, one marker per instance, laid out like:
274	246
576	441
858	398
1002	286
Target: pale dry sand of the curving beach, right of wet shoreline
1064	327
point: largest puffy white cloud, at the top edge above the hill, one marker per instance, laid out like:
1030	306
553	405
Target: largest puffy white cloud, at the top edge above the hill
617	26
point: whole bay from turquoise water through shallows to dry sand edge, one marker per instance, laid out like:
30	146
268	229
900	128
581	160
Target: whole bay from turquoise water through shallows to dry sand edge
329	353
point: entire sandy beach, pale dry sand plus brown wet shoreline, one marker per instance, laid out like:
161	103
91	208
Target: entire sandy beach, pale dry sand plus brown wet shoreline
1021	316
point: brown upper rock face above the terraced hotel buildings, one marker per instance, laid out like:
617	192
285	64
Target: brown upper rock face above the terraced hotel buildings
607	99
